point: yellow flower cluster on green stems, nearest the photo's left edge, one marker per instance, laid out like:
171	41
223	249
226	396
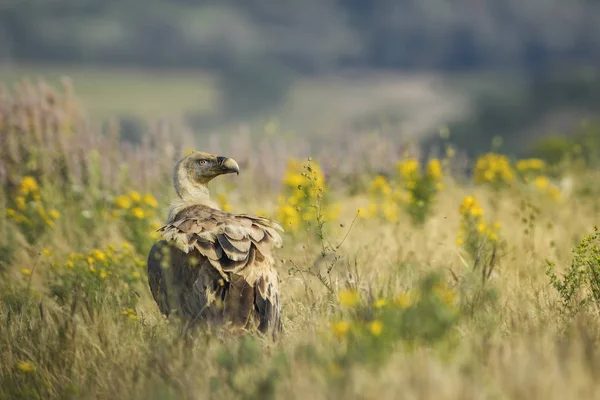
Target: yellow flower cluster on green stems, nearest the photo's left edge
29	211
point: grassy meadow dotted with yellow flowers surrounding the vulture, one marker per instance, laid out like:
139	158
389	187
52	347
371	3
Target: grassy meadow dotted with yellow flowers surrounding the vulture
403	275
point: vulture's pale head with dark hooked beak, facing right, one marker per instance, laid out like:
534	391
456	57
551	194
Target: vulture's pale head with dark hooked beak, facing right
199	168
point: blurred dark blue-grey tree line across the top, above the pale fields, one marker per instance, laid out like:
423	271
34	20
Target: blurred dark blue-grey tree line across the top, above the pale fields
308	35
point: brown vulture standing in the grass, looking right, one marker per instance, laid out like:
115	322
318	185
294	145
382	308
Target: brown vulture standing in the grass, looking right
212	266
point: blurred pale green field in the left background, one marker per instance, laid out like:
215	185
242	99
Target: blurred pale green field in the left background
108	92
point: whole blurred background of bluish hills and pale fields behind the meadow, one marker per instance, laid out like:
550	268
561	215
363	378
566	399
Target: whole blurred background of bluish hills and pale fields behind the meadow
521	76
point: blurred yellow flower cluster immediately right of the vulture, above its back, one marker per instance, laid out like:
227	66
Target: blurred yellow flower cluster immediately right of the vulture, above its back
304	198
